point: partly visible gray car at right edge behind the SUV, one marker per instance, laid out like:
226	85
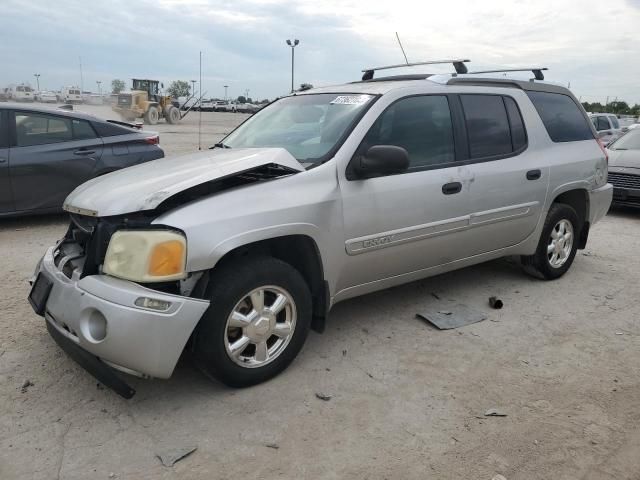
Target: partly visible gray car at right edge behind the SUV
624	168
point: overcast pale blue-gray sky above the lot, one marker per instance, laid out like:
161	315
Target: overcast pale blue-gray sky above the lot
591	43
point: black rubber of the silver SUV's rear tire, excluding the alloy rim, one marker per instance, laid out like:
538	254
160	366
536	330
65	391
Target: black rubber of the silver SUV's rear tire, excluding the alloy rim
539	264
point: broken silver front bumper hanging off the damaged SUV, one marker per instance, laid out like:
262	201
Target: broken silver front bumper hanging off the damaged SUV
98	314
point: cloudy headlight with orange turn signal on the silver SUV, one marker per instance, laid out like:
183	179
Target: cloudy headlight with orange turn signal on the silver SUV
146	255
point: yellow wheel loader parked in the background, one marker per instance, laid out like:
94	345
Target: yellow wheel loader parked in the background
146	101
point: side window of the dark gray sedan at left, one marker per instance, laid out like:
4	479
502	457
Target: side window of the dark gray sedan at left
40	129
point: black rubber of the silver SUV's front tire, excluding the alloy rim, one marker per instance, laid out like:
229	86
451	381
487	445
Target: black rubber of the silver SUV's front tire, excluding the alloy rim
229	285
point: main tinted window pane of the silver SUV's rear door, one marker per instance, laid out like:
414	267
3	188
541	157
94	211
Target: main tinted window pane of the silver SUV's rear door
487	125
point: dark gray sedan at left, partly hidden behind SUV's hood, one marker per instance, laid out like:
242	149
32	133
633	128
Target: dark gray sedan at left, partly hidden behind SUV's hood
45	153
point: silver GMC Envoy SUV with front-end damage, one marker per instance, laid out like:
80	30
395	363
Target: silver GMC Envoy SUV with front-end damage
236	252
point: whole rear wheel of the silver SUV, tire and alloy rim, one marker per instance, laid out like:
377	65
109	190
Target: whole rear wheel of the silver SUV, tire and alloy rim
557	246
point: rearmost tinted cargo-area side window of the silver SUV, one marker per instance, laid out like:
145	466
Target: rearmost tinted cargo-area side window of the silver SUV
561	117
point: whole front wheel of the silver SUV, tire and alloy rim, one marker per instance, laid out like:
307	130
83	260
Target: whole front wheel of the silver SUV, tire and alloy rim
257	322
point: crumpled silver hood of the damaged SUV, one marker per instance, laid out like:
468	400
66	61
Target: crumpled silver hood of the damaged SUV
145	186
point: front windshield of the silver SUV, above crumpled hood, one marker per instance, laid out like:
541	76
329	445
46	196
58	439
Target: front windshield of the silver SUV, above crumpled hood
307	126
